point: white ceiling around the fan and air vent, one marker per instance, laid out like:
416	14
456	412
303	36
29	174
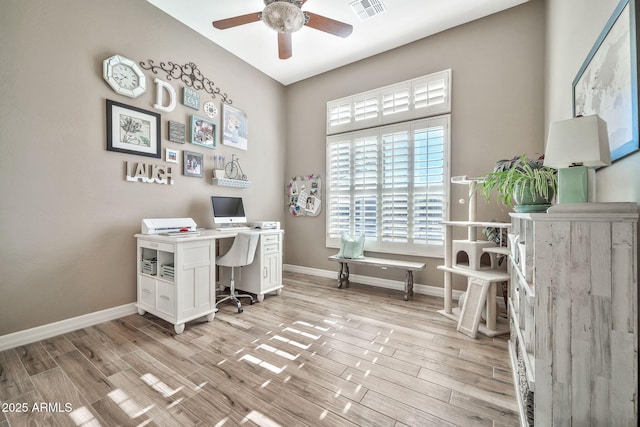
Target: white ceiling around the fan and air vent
314	51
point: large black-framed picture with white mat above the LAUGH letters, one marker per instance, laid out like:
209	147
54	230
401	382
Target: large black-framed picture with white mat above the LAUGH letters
132	130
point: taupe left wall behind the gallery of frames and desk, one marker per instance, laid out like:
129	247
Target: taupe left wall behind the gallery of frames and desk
67	215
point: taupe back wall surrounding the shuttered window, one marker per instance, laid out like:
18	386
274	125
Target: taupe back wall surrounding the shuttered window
497	112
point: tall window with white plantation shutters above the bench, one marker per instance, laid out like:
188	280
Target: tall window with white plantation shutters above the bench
390	182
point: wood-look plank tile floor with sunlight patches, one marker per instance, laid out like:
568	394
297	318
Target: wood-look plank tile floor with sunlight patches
315	355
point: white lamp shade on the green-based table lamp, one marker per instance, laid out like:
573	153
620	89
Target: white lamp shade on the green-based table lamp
579	141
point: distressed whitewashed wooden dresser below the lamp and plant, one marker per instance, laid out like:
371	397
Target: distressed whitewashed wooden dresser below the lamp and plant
573	315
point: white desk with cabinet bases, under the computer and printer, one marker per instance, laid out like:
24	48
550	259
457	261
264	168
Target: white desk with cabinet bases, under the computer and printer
188	290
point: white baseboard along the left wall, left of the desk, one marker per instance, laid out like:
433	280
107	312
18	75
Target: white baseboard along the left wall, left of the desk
38	333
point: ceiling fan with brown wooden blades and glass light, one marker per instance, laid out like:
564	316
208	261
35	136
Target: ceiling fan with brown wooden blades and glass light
286	17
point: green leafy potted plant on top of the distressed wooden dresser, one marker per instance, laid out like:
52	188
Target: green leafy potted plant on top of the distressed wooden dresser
527	182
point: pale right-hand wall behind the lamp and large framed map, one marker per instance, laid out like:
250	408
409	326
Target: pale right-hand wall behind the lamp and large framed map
573	26
